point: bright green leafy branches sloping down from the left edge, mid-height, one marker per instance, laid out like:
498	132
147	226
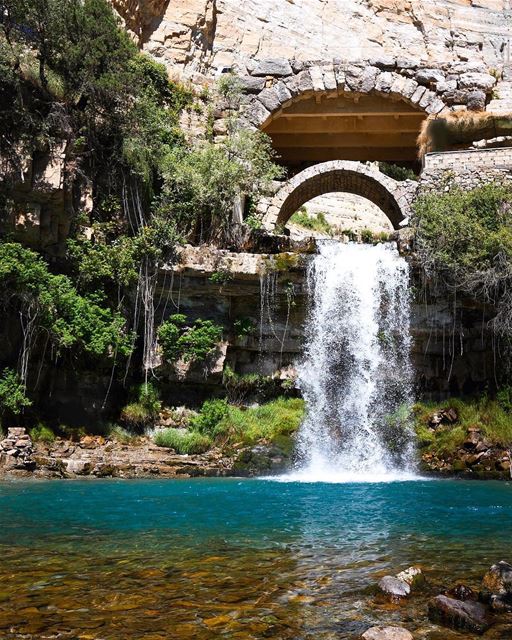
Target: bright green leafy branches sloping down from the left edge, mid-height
71	320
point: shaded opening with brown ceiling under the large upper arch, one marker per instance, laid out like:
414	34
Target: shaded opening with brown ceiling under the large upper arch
320	127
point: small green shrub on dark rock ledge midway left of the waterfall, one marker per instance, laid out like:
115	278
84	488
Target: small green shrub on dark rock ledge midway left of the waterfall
192	343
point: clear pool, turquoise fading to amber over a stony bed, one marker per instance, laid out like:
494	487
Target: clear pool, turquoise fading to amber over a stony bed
236	558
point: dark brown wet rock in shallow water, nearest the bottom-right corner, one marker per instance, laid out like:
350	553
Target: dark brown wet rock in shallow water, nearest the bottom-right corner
462	616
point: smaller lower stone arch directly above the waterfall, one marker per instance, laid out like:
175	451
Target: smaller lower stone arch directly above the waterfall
391	196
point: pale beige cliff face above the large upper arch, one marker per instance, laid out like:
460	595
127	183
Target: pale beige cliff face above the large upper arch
194	35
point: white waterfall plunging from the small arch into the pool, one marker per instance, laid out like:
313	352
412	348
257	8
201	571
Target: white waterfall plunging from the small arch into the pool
356	372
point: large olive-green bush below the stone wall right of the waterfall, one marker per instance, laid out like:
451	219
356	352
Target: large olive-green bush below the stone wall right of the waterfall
465	239
